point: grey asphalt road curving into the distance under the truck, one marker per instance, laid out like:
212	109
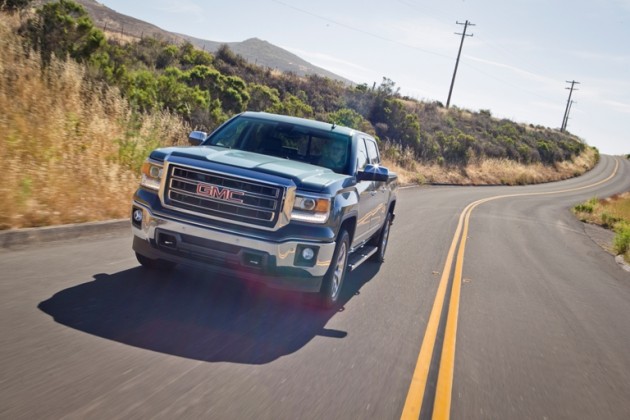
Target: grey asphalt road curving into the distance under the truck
543	323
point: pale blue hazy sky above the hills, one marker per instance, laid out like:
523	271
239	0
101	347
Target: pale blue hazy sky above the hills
516	64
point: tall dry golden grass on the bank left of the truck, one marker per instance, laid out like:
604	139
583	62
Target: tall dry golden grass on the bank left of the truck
69	147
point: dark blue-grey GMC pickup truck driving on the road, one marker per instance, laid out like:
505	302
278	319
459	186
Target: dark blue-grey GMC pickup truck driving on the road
291	202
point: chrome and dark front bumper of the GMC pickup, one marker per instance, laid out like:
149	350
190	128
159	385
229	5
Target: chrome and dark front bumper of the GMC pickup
161	236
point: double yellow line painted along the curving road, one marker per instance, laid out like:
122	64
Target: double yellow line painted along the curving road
417	388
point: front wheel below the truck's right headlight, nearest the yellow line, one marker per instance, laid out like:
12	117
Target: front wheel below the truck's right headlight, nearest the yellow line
333	280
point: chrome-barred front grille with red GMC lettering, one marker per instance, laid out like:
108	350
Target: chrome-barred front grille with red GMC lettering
223	197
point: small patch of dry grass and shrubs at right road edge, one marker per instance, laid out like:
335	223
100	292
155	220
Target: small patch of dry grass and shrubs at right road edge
611	213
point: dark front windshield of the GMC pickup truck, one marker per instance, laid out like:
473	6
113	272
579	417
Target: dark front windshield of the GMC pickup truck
285	140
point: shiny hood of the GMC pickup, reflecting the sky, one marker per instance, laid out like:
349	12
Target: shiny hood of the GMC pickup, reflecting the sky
304	175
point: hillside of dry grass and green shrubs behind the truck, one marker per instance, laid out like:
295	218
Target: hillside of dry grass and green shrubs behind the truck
81	111
